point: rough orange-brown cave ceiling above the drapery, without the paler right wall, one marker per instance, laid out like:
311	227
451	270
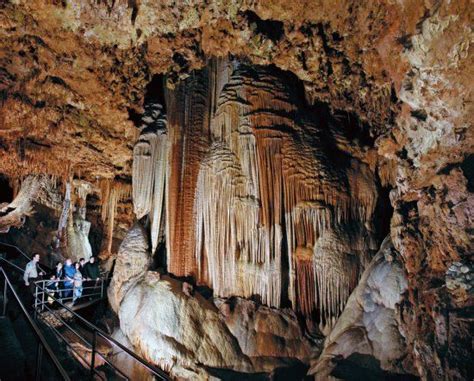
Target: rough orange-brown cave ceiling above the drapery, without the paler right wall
73	72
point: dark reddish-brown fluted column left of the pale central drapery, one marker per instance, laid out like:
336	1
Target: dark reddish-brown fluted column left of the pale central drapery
190	108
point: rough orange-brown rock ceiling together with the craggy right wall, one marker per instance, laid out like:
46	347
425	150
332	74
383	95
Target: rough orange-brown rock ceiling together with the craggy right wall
72	74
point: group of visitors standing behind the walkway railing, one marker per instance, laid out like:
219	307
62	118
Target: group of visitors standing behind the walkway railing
68	279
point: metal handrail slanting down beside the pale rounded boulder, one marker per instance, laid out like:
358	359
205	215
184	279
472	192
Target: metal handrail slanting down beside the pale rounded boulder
97	331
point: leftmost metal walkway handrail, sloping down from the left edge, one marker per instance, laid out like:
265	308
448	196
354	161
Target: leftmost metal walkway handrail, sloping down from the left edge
43	344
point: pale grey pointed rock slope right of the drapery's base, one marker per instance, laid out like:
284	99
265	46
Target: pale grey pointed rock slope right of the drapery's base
369	322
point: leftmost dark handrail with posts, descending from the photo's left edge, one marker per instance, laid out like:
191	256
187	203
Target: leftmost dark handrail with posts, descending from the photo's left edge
43	343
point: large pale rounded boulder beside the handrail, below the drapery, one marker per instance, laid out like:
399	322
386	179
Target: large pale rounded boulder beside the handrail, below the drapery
170	329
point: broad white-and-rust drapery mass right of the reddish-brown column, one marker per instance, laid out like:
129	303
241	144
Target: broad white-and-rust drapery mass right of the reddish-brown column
267	182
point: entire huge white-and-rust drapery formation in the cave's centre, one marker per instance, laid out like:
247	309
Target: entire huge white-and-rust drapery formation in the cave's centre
258	200
